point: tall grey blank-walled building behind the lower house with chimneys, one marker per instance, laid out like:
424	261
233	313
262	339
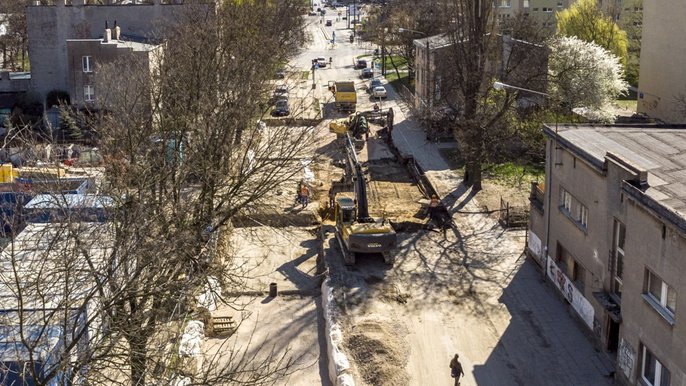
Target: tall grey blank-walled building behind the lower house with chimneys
50	27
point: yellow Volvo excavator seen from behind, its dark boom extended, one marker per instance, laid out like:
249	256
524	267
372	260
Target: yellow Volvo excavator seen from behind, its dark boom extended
356	231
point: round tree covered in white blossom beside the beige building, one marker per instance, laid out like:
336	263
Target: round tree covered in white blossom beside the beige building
583	76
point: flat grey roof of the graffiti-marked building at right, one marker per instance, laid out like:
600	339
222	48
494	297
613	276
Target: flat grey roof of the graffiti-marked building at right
658	150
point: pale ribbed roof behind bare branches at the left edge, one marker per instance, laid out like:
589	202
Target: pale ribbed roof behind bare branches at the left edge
43	258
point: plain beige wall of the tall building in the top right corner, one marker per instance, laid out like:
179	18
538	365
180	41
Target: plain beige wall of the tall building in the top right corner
662	88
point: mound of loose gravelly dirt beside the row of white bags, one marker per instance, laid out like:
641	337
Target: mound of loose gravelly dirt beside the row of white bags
379	352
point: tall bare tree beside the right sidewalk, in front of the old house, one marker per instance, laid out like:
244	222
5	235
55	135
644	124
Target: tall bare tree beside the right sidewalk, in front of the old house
472	60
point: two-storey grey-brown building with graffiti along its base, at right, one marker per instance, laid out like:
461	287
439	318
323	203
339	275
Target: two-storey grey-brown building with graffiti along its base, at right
608	225
